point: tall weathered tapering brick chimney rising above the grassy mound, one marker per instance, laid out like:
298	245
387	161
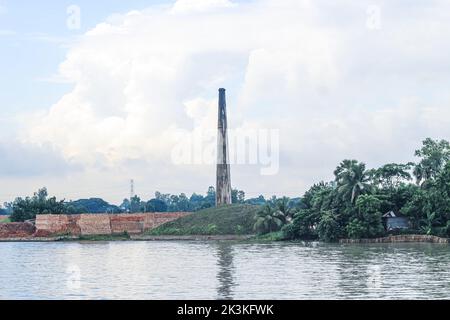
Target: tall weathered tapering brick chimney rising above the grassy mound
223	183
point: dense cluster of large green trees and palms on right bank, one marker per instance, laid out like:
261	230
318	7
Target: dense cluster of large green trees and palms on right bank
352	205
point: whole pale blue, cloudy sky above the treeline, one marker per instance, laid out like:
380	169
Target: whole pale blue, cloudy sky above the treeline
95	93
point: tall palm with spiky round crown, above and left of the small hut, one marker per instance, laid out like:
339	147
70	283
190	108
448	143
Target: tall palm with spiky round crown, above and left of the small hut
352	179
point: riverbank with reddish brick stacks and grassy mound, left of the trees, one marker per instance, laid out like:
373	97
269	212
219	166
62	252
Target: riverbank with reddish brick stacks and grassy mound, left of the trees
233	222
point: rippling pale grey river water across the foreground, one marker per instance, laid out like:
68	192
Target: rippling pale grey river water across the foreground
223	270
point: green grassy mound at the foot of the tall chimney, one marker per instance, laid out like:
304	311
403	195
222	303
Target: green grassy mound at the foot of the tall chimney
225	220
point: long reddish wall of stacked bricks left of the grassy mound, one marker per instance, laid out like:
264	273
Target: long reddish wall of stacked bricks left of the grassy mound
101	224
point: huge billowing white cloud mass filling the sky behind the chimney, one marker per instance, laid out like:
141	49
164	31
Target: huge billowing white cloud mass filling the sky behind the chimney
334	88
